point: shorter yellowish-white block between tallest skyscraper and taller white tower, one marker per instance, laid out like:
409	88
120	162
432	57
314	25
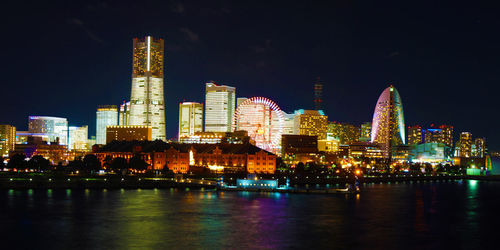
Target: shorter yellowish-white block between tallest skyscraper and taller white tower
190	118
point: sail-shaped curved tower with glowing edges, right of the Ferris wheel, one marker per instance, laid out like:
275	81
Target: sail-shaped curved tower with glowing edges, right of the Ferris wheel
388	127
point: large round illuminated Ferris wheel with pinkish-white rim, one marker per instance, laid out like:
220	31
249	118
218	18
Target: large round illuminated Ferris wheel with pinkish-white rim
263	120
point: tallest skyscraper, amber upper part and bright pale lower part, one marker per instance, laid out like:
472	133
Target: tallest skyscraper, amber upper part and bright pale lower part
147	107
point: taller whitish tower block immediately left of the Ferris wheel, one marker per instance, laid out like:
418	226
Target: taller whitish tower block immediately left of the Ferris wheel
219	107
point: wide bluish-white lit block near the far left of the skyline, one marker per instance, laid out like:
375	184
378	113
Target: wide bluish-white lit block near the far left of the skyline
55	129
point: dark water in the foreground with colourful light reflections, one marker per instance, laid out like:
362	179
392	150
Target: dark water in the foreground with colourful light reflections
417	215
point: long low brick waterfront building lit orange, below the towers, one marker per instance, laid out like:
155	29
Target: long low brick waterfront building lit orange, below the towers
181	158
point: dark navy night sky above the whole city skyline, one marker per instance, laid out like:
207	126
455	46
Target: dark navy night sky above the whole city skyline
65	58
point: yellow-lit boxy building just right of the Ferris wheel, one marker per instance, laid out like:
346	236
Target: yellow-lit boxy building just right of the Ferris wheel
311	122
